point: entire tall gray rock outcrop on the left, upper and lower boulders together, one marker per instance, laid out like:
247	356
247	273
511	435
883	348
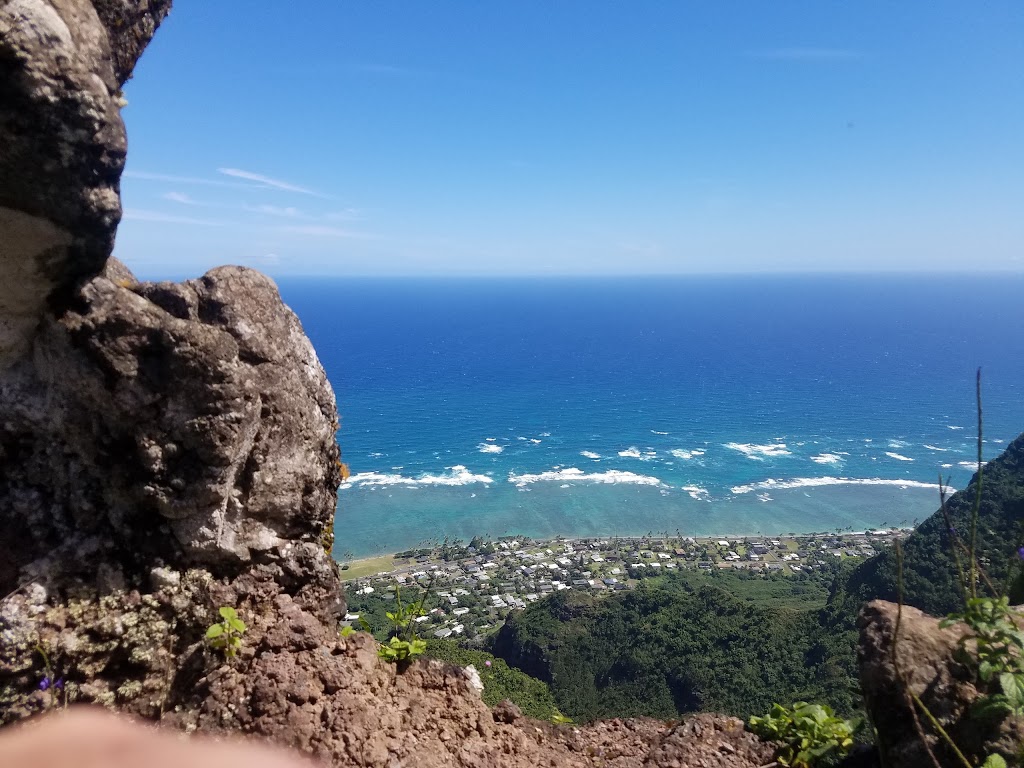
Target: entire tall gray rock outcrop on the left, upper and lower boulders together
158	442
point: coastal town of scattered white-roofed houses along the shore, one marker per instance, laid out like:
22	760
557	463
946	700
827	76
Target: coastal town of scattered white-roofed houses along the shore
475	586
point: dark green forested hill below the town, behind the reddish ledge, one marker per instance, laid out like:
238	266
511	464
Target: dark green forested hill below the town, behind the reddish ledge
679	645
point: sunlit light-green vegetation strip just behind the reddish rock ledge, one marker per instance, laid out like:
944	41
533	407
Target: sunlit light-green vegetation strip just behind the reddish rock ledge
500	681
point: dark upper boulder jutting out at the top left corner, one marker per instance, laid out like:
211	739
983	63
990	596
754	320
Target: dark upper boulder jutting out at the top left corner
63	147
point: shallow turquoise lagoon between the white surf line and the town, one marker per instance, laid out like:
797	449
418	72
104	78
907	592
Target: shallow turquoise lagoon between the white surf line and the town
383	523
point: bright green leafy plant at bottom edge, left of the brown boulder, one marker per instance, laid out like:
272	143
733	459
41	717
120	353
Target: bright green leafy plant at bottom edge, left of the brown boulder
806	734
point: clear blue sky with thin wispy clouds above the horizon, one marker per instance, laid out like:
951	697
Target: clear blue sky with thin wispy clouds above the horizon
584	138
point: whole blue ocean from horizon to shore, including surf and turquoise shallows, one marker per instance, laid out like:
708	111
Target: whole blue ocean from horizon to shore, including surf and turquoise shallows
626	406
